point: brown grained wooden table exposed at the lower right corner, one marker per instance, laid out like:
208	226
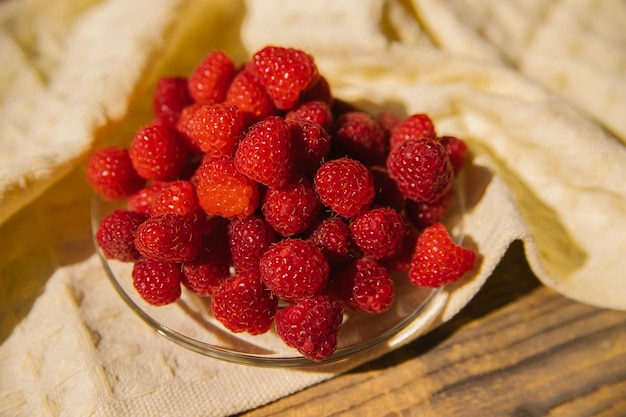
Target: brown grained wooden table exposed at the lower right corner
518	349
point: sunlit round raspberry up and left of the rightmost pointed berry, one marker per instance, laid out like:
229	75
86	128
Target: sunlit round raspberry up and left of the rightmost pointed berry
378	233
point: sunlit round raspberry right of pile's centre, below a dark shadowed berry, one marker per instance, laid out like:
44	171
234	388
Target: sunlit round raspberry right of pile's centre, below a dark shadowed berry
345	185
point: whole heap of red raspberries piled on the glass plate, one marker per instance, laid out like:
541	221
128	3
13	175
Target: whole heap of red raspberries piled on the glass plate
252	185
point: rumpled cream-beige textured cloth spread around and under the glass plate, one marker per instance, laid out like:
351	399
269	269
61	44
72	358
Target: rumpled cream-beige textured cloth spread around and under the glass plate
538	89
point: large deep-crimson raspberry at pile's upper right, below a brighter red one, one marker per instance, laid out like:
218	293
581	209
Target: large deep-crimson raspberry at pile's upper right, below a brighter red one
421	168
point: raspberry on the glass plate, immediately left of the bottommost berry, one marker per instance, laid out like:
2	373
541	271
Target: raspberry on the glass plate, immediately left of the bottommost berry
244	304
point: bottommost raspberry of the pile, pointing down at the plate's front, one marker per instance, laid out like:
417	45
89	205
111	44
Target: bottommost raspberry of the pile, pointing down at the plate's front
311	326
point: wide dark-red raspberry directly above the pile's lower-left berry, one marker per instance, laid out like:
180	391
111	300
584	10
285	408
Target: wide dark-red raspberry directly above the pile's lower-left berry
168	237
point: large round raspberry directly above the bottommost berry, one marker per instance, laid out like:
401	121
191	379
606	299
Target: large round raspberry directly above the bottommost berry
294	269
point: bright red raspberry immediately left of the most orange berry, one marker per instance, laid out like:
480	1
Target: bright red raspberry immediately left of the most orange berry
178	197
